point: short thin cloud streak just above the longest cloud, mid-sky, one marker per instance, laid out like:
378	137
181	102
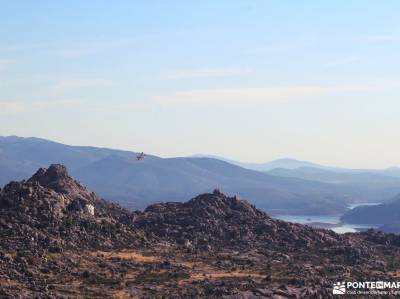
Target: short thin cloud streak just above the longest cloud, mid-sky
204	73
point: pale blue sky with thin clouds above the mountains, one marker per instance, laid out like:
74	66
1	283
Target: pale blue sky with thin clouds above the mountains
248	80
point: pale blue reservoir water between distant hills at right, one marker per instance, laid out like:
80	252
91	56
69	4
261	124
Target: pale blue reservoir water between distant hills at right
332	222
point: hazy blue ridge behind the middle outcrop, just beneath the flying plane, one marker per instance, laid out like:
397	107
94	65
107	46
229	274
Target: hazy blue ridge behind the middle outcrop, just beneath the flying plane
177	178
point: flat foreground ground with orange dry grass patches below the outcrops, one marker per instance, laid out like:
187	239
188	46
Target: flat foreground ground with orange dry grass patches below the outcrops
166	272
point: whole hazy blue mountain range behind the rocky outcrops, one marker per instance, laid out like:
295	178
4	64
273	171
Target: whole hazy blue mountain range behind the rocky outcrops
118	176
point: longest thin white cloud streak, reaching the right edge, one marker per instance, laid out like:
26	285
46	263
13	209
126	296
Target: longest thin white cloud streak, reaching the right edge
268	95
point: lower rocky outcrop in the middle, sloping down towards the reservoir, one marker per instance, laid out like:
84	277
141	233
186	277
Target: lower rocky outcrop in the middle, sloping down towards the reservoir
215	220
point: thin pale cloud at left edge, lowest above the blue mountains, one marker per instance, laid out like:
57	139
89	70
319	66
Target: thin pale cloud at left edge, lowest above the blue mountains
16	107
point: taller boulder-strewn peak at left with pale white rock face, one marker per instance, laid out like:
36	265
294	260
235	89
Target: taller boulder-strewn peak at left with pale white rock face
53	211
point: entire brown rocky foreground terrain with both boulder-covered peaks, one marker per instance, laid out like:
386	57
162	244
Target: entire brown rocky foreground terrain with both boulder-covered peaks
59	240
